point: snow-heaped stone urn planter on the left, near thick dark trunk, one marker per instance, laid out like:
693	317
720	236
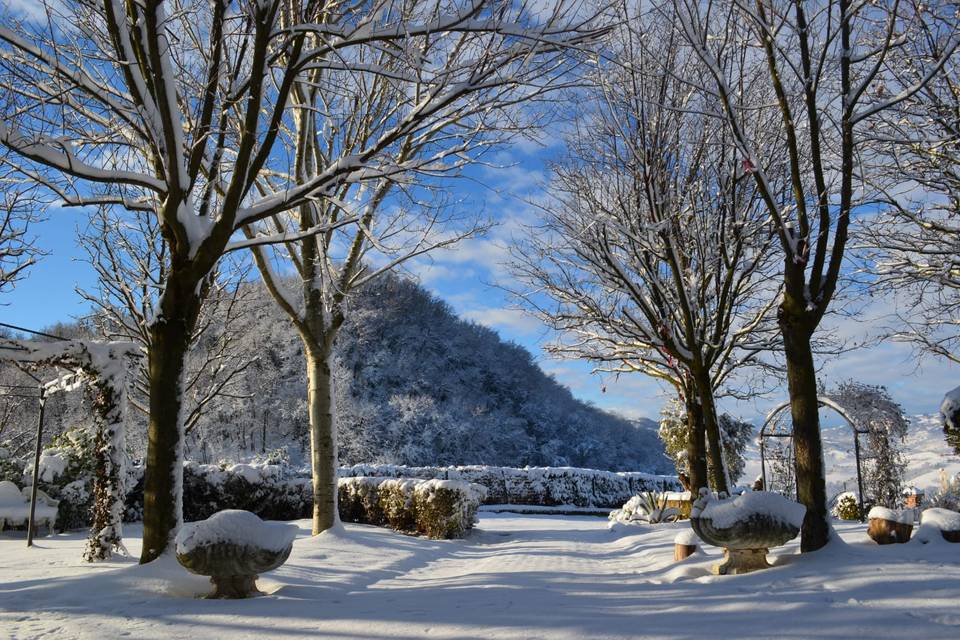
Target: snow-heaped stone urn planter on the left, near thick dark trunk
233	547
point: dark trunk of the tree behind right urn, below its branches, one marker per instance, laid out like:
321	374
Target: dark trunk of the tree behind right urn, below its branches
807	447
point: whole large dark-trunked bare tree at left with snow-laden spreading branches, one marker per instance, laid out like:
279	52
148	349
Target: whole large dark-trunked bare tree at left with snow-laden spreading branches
173	108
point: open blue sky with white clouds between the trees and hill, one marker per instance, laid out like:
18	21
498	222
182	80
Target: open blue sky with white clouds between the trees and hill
470	278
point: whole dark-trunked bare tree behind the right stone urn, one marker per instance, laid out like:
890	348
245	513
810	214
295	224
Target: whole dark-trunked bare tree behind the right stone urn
829	68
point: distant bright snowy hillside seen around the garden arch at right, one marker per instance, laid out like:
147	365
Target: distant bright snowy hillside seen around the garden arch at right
925	450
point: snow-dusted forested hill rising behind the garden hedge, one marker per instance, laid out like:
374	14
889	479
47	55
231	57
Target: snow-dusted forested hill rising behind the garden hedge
415	385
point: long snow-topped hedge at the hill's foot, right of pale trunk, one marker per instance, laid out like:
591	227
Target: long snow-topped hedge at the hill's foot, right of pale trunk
548	486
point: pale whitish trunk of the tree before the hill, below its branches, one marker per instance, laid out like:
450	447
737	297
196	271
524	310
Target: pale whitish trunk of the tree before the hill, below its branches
323	438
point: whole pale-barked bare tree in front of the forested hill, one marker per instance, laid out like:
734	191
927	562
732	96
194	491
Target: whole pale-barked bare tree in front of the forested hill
419	114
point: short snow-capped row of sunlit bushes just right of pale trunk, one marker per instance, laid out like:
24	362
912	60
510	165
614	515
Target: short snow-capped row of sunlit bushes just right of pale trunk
438	509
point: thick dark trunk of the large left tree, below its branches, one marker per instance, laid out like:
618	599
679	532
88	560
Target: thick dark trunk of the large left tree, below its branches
163	482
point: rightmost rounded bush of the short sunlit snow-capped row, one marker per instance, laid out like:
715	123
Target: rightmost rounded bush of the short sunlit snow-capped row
446	508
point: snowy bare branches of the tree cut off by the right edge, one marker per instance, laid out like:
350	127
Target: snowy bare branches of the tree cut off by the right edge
912	246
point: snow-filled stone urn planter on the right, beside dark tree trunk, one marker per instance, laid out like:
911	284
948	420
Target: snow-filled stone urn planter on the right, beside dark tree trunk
746	527
